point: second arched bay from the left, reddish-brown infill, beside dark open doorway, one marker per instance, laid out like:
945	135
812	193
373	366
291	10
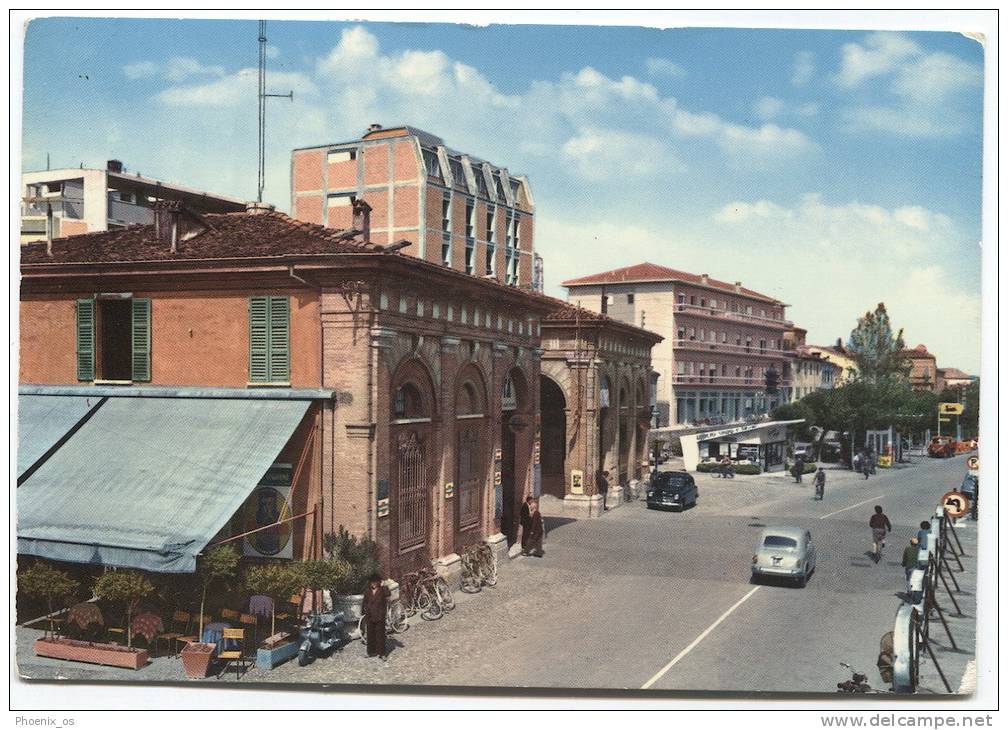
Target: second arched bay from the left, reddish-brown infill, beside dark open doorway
471	458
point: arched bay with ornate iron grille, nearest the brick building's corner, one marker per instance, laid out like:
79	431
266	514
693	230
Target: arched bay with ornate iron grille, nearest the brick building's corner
411	466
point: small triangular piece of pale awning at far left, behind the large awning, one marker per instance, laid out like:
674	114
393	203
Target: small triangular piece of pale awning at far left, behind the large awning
44	421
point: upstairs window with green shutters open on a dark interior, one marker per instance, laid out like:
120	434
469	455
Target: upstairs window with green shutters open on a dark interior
113	339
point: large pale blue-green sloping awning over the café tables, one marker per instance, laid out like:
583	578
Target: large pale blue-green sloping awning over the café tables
148	482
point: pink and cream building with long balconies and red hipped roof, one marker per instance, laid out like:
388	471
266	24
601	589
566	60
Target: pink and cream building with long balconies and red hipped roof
723	343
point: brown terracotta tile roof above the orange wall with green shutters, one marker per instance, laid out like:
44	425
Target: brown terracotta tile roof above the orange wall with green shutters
226	235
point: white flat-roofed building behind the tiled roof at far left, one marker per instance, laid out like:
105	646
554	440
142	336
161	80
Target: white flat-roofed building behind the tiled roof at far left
68	202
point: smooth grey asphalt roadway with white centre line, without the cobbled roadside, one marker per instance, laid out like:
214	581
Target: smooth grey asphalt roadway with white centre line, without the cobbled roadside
657	616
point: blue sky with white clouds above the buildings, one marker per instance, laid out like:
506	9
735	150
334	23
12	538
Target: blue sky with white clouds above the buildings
833	170
